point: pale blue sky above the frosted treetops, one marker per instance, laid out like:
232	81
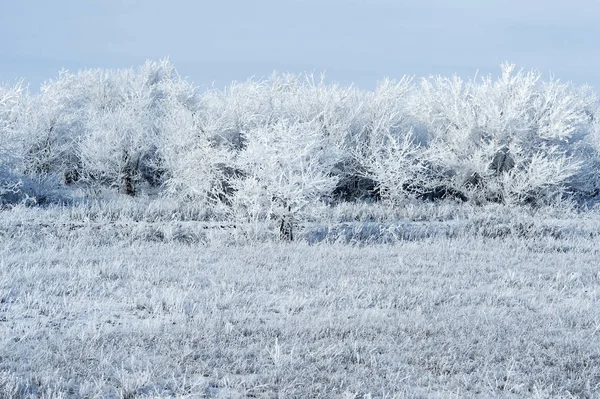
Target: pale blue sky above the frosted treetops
352	41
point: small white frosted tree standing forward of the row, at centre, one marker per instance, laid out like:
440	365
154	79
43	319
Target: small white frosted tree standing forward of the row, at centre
284	171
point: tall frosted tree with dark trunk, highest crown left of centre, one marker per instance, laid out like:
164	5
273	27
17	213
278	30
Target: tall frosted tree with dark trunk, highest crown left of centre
121	147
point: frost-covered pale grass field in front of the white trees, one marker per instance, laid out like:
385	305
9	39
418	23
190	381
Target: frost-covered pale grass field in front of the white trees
91	306
